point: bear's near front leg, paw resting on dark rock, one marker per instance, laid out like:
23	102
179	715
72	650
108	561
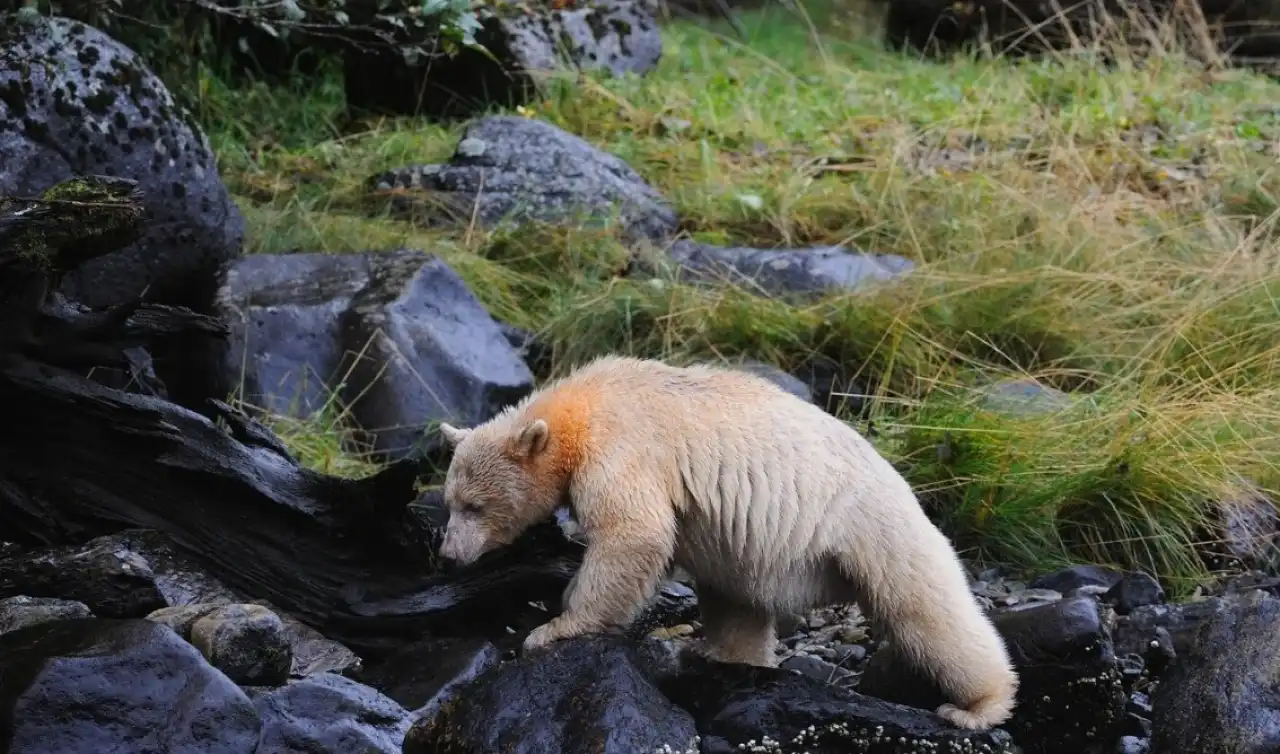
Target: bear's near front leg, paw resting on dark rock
621	569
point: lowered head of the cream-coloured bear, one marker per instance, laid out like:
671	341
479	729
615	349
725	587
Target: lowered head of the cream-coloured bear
497	487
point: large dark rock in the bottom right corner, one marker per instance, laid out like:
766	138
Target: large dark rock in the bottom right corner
1224	693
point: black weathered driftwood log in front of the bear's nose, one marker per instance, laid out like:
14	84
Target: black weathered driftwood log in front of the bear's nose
80	459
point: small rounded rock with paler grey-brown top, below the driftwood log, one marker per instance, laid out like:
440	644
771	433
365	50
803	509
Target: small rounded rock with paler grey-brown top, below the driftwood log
246	642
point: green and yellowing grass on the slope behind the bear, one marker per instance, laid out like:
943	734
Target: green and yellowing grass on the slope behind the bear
1112	234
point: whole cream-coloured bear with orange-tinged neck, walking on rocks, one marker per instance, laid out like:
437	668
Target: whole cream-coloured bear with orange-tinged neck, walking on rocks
771	504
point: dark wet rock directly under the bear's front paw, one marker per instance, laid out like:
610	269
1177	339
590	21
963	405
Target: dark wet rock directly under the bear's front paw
587	696
